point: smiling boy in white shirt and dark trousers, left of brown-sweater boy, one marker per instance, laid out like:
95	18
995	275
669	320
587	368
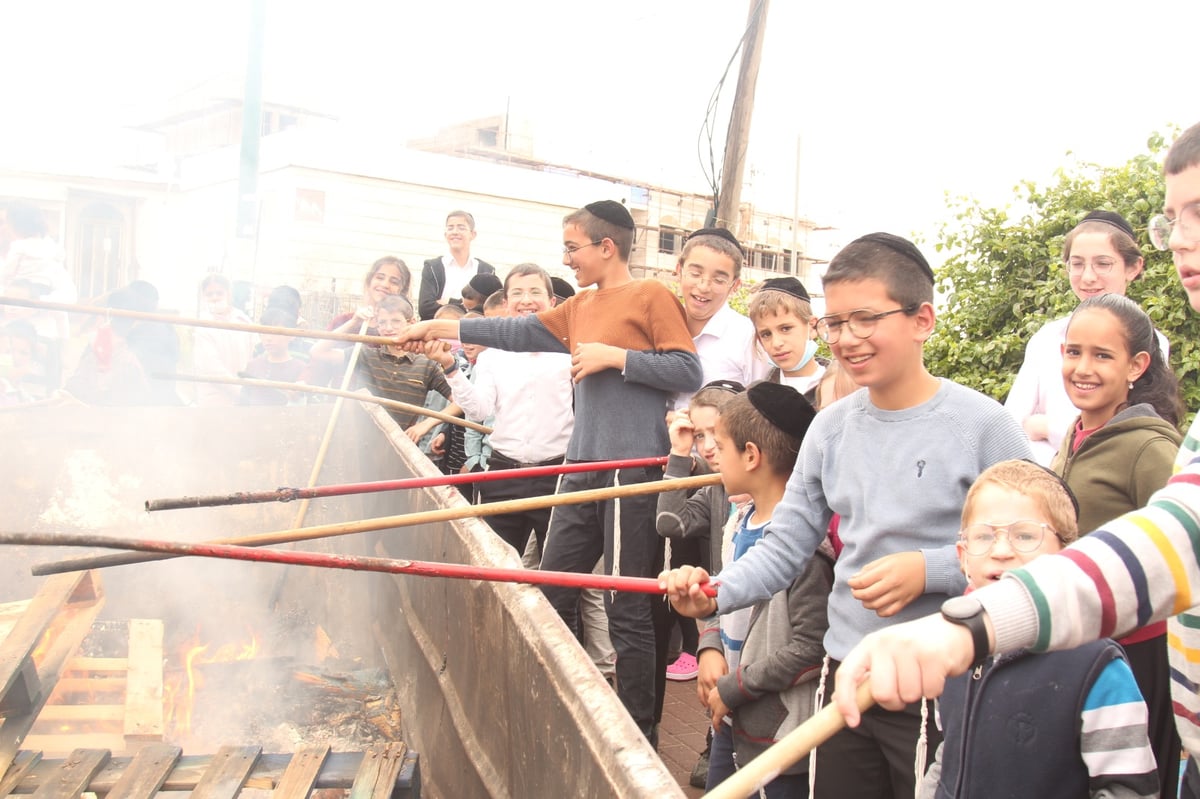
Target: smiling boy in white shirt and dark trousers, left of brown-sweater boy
531	398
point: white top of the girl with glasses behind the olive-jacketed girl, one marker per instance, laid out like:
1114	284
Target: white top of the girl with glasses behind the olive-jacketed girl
1039	388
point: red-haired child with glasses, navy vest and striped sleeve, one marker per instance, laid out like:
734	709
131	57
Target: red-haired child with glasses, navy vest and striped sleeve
1084	719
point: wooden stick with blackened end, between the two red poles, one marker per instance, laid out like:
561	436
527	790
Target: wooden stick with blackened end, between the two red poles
405	520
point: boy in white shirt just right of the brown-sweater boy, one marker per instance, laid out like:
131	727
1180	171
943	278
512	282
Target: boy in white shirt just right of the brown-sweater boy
710	269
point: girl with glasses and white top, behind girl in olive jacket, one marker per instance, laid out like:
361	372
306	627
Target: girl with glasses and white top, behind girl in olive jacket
1102	257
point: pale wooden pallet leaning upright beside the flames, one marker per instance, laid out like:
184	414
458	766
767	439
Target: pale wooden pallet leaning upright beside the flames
112	704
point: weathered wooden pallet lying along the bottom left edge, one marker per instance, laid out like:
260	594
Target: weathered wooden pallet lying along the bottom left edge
383	772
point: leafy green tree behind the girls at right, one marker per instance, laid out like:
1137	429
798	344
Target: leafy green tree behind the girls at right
1004	277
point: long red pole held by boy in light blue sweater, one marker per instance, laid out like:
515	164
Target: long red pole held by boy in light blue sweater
353	563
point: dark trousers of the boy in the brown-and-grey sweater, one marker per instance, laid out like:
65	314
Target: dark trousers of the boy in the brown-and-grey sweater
579	537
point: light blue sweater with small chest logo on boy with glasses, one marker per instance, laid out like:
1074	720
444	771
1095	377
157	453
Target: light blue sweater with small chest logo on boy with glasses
898	479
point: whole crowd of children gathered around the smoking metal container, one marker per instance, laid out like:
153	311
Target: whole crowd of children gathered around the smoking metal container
890	537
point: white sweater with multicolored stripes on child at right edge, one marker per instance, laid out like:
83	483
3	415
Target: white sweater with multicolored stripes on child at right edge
1141	568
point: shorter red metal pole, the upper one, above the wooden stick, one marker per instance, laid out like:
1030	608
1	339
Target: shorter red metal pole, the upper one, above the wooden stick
341	490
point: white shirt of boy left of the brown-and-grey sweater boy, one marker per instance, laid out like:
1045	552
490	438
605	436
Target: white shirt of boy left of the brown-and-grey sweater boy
531	397
